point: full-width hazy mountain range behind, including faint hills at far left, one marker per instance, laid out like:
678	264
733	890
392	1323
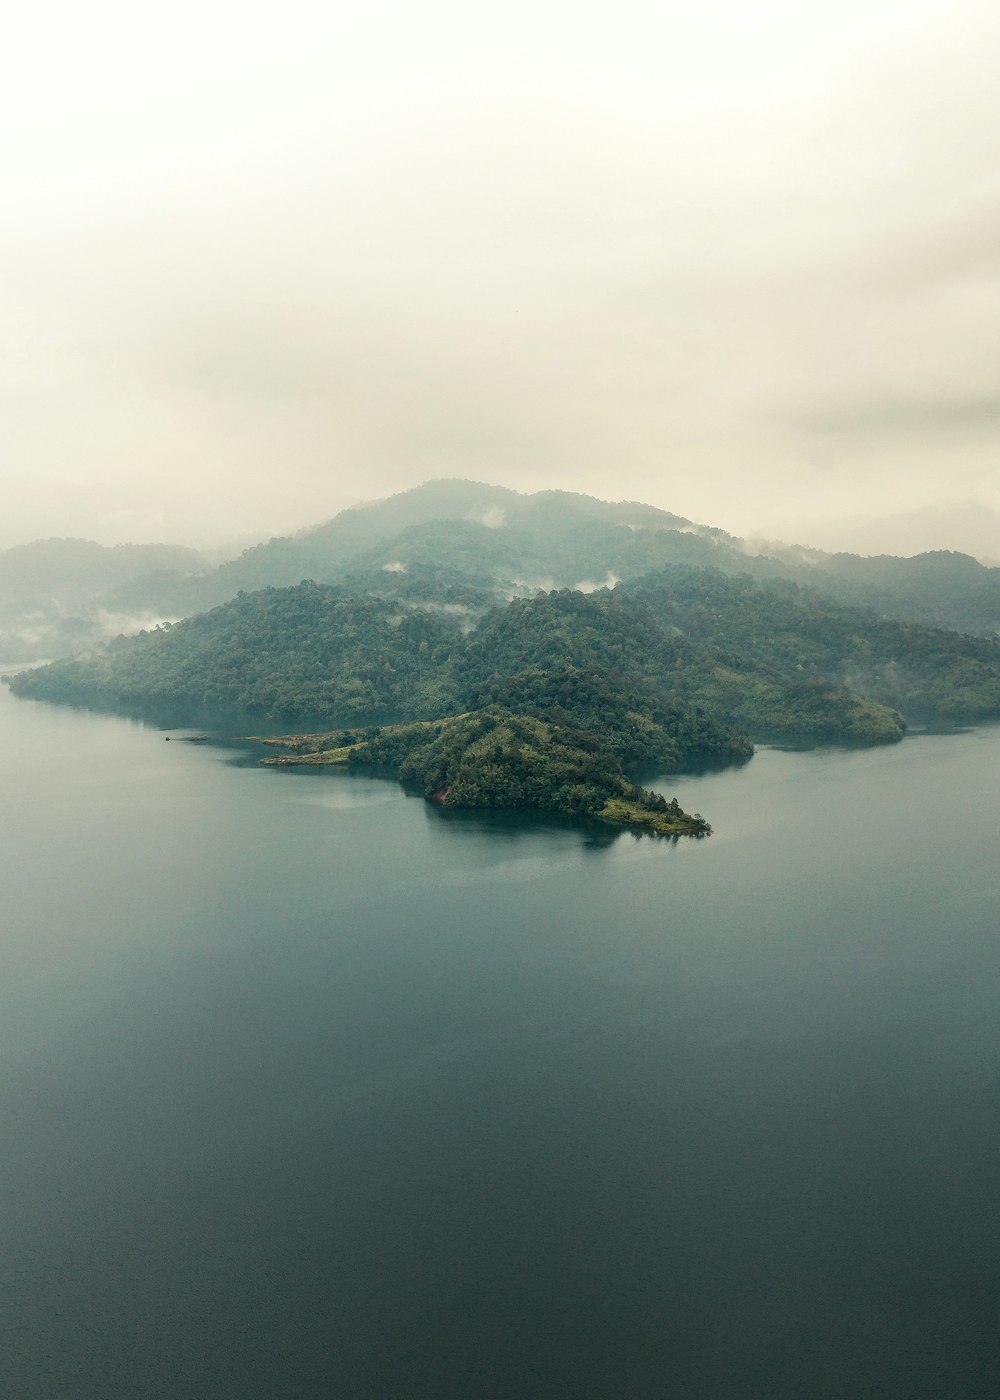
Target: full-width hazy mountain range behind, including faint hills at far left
460	548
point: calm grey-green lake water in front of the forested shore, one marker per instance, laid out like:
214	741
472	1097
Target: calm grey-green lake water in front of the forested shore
312	1091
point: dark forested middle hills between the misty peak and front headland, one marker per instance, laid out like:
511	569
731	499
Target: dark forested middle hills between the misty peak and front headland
670	668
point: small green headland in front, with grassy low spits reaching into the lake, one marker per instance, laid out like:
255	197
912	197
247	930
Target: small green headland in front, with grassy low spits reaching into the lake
494	759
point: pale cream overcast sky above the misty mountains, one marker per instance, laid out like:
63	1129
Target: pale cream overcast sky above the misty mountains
261	262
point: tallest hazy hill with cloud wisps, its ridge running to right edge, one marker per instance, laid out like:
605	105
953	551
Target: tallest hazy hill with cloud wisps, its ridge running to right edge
470	545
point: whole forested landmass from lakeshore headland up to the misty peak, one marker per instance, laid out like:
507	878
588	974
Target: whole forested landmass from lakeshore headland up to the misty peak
489	694
